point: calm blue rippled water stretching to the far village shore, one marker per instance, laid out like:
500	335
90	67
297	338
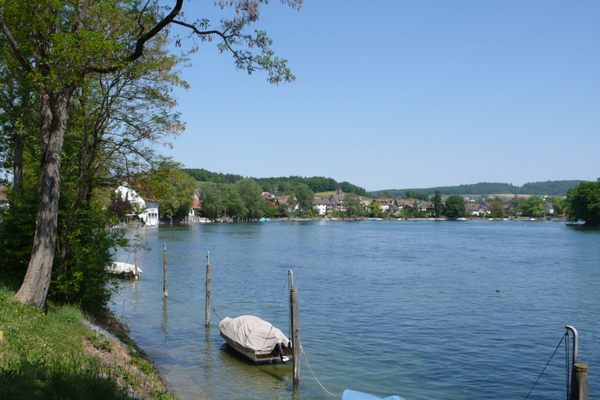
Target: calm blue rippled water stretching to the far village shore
426	310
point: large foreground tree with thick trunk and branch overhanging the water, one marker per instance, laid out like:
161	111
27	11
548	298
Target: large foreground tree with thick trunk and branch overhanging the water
55	46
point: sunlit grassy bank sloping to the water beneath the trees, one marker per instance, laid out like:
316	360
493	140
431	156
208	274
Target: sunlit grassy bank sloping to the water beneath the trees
54	355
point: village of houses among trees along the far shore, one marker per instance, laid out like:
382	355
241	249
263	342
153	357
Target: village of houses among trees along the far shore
341	205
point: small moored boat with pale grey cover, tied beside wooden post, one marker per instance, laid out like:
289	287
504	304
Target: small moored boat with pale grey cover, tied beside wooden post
256	339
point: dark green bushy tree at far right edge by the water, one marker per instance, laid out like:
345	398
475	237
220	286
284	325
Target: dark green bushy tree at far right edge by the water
584	203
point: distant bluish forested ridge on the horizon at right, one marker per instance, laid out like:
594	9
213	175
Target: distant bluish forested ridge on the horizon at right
551	188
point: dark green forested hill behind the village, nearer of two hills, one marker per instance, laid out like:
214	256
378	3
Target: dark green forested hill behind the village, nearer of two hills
280	185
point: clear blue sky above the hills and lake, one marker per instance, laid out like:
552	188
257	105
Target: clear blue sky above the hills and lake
394	94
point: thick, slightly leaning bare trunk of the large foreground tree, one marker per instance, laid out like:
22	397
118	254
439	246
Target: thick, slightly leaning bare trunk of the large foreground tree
54	113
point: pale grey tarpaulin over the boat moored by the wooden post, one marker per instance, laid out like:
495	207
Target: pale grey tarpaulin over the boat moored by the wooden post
253	333
